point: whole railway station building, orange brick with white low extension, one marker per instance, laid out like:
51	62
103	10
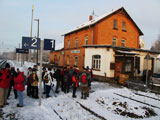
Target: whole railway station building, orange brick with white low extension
109	44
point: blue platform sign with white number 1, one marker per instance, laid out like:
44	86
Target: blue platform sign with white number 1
49	44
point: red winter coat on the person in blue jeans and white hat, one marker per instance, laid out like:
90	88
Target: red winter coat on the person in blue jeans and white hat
19	82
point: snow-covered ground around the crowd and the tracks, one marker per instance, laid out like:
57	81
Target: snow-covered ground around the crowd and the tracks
103	101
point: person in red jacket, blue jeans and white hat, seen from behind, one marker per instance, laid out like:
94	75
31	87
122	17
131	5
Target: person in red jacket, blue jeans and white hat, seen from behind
19	85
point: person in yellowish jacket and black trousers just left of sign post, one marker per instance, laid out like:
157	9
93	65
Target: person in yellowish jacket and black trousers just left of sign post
34	85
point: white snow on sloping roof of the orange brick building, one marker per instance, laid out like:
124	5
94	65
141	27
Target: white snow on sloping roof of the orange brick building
91	22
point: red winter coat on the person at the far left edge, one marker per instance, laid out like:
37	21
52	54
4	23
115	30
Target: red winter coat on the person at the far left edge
5	79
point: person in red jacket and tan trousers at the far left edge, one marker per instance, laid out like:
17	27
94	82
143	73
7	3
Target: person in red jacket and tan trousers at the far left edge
5	78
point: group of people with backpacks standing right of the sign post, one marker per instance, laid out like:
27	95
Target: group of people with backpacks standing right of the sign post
67	79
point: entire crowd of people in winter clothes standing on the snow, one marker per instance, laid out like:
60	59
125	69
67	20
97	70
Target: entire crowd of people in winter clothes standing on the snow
63	78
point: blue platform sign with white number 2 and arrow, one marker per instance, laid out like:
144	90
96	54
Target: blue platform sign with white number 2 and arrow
30	43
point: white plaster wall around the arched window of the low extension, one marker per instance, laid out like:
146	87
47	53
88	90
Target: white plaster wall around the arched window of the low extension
106	58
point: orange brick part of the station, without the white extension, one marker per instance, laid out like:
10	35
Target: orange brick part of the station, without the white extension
115	28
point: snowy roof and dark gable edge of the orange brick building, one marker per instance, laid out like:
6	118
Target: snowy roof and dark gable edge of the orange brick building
100	18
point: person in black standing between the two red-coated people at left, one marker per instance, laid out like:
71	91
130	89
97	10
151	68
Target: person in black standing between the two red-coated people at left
13	74
